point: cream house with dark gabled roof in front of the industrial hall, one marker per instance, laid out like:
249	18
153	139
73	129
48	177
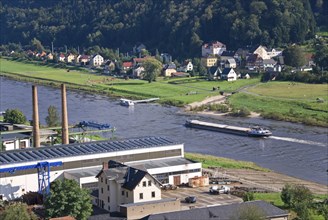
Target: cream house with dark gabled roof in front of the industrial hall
120	184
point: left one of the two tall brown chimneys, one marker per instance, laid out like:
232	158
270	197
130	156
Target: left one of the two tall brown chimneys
36	129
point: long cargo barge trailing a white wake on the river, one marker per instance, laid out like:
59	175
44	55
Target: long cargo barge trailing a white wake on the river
254	132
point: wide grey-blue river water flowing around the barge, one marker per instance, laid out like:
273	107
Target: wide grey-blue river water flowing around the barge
294	149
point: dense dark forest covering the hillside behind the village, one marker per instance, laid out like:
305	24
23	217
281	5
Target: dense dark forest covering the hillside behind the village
178	27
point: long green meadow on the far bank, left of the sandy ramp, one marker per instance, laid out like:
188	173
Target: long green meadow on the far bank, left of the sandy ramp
173	91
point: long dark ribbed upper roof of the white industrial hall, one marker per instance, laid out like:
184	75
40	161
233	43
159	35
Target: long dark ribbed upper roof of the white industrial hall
71	150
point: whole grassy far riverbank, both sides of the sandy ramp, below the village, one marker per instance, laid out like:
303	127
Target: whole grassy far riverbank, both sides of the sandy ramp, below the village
263	100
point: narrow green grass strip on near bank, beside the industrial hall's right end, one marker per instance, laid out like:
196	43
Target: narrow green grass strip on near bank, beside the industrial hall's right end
212	161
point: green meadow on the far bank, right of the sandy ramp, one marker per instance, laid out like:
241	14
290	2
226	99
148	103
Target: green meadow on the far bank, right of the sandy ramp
296	102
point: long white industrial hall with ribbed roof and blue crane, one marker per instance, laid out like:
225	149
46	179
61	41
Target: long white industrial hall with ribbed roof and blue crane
32	169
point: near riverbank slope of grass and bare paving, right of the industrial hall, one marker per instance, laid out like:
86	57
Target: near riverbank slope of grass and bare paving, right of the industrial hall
251	174
